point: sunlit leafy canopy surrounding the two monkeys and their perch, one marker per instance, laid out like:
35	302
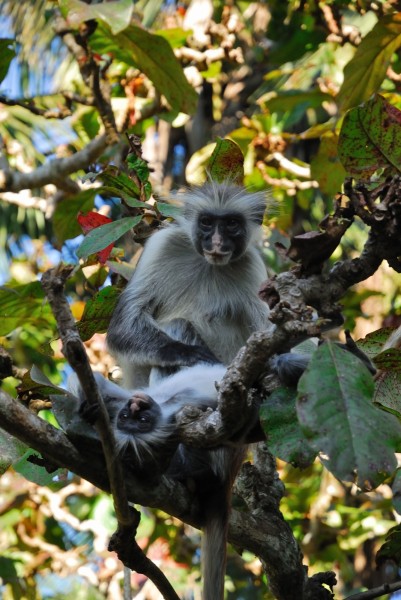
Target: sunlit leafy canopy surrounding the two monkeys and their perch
106	107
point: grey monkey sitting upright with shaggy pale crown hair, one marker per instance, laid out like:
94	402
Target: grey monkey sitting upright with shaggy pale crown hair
206	269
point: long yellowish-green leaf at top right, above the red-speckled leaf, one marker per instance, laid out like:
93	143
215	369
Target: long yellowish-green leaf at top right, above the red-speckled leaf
367	69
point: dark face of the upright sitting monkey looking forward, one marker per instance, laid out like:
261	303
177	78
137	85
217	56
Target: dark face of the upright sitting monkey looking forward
220	238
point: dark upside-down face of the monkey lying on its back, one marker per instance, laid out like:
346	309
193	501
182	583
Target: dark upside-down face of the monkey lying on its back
140	415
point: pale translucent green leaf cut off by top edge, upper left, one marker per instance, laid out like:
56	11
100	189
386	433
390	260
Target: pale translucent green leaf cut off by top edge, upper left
117	14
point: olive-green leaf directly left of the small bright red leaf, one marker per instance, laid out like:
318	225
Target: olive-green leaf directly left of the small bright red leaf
65	222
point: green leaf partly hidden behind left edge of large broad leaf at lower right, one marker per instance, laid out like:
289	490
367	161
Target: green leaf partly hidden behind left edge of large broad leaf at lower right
285	437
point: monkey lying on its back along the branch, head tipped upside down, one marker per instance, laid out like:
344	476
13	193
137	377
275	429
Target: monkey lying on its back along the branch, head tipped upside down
144	424
